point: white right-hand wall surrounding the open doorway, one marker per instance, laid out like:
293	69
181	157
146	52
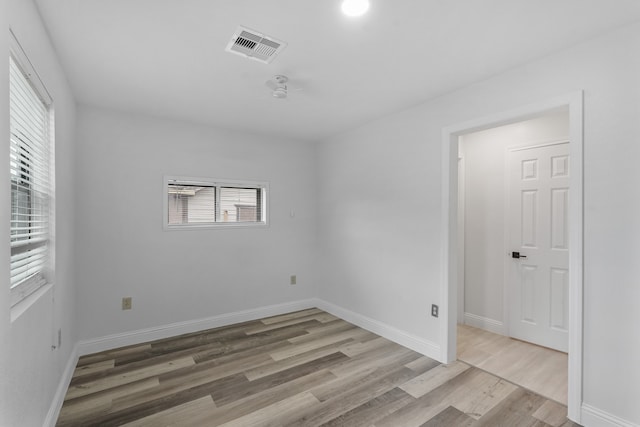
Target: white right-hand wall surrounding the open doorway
387	264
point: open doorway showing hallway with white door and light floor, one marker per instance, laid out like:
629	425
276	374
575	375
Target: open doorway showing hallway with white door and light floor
513	252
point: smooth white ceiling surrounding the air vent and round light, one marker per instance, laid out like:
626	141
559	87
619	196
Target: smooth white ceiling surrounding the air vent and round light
167	57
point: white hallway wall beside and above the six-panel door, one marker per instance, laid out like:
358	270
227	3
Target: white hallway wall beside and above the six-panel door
484	251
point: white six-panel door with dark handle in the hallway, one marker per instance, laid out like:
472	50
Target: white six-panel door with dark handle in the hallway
538	281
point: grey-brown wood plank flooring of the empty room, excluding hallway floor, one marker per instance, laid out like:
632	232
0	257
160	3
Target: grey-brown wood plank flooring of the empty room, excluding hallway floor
306	368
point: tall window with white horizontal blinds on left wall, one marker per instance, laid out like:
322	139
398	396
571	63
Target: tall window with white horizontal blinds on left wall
30	119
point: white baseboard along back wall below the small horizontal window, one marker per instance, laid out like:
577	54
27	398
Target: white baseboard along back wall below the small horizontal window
166	331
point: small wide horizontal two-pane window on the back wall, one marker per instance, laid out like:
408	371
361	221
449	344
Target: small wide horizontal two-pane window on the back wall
201	203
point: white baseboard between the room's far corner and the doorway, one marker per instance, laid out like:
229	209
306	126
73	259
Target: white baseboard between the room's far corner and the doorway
428	348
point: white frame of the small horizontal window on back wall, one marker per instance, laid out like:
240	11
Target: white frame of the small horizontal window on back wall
218	184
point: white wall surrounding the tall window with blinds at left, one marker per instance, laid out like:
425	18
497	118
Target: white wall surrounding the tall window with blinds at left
31	369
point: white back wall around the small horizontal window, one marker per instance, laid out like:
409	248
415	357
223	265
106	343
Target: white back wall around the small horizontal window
176	276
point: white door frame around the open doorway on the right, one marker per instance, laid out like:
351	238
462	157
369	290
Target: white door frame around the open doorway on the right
449	284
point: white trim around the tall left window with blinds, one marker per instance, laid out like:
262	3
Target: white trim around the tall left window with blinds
23	289
